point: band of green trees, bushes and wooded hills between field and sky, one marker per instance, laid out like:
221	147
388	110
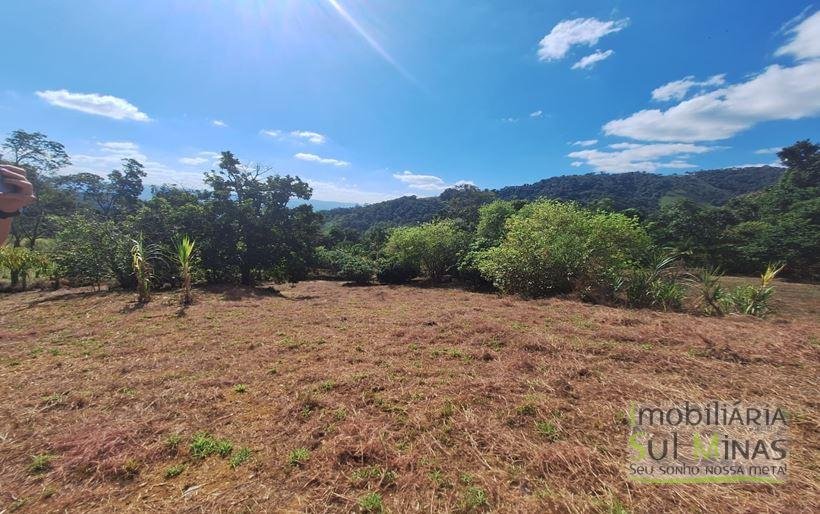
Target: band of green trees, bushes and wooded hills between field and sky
86	229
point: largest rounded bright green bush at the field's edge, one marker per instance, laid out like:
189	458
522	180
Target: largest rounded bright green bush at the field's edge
553	247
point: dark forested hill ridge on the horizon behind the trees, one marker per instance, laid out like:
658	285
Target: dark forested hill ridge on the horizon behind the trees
642	191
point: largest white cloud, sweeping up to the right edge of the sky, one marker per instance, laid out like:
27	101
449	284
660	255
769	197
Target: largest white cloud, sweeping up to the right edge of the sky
776	93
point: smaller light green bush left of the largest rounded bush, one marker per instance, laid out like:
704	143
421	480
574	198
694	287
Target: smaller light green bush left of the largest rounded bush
434	247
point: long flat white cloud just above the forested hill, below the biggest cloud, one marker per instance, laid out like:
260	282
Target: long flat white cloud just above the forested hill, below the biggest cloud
625	157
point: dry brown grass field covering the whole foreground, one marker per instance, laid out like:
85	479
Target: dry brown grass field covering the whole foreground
417	393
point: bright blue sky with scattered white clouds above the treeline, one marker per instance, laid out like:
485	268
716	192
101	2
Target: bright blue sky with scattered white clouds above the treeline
369	100
